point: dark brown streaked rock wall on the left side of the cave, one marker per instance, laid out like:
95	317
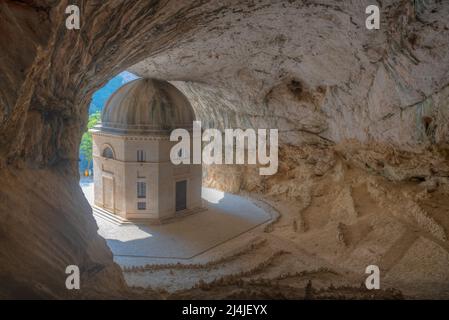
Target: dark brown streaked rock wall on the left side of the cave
47	76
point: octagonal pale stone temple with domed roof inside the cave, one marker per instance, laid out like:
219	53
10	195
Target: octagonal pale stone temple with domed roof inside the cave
134	177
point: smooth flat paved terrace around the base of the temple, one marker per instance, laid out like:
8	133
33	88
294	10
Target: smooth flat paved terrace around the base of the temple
226	217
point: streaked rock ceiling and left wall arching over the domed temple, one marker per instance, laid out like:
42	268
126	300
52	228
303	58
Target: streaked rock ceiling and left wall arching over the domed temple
309	68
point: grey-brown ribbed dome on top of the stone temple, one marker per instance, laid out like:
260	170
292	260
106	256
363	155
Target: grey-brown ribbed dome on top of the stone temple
146	106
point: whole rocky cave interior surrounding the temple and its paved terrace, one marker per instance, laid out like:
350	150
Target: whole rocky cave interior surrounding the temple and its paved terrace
360	113
